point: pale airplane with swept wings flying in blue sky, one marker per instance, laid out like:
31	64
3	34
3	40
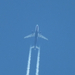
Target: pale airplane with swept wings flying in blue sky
36	35
